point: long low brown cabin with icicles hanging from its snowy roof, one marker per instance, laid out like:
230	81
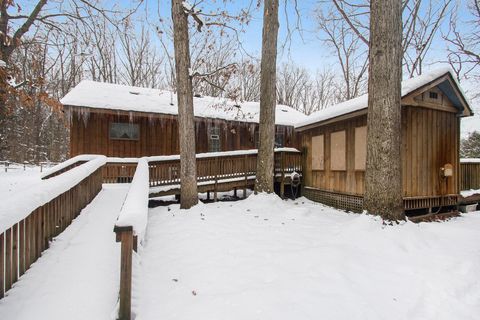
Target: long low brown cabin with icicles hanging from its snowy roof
124	121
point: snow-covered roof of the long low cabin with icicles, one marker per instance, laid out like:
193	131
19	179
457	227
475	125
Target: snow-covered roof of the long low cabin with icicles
100	95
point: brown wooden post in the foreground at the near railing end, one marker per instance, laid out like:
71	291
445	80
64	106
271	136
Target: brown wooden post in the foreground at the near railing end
125	236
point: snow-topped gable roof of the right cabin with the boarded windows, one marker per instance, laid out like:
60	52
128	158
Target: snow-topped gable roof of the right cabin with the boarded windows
449	86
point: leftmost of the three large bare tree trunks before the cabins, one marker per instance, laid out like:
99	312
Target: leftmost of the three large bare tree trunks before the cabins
186	126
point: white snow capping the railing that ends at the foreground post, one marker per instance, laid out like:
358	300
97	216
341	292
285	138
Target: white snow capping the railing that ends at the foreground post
134	211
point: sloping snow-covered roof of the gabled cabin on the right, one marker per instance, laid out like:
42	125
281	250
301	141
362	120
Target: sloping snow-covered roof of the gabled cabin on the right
361	102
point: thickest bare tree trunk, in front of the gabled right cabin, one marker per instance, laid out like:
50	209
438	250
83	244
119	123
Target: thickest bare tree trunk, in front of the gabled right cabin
383	176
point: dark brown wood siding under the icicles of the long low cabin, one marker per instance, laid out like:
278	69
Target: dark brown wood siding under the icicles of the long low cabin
158	135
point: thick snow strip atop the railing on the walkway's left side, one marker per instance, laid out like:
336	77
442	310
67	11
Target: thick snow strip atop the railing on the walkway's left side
17	207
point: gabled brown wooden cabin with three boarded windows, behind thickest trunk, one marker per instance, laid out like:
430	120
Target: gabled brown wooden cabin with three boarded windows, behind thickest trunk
334	141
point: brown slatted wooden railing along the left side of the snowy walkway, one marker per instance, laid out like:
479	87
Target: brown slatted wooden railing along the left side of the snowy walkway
22	243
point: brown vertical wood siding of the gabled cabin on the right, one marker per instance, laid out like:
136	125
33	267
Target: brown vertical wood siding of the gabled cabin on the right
430	139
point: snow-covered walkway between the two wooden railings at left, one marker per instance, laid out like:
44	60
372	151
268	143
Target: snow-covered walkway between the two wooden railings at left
78	276
